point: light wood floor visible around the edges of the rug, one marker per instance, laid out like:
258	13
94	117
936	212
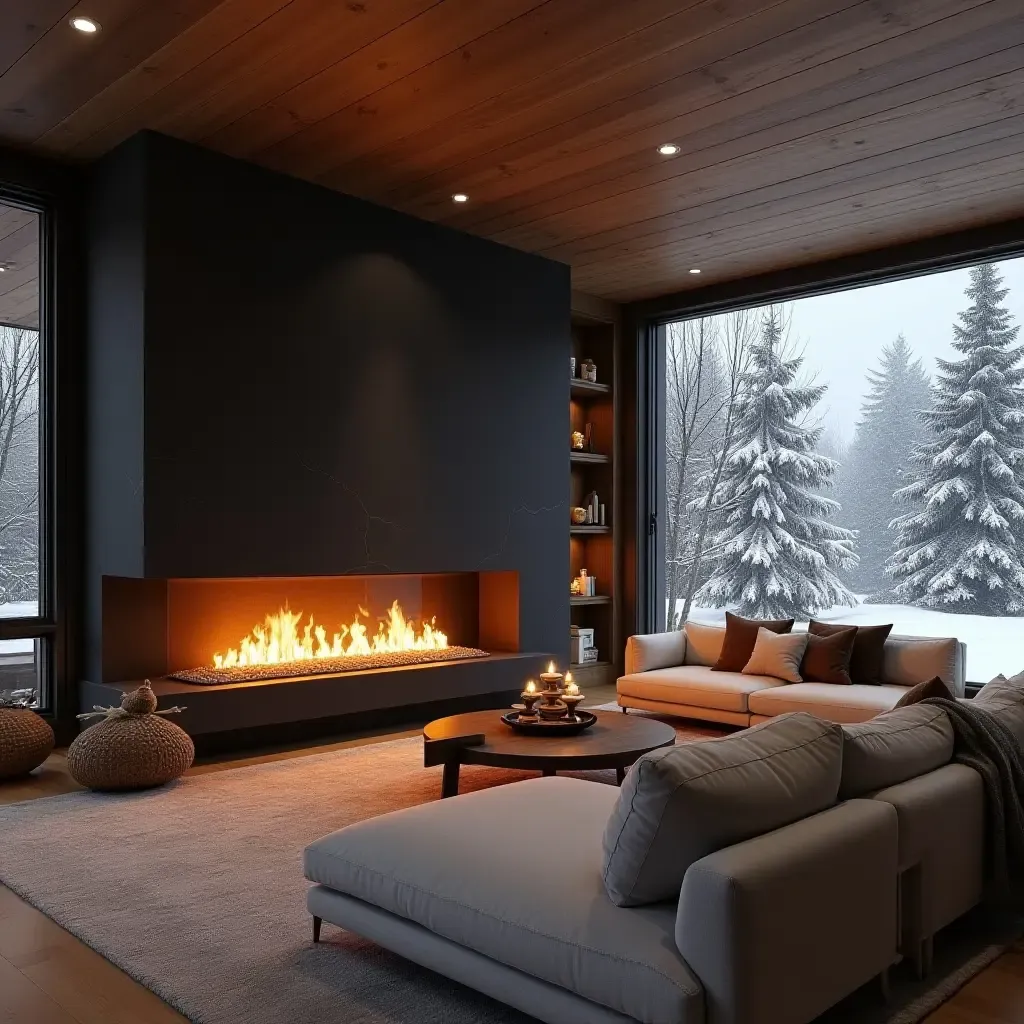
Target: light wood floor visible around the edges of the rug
49	977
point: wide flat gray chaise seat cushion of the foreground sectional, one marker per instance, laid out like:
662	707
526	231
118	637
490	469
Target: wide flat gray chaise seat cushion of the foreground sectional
515	873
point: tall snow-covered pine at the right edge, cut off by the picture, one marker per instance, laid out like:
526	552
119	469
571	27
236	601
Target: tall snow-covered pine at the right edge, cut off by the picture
963	549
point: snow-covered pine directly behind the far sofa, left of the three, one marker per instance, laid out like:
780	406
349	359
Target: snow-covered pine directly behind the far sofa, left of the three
776	553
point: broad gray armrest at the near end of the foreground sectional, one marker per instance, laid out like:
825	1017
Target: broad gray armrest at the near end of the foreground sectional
782	927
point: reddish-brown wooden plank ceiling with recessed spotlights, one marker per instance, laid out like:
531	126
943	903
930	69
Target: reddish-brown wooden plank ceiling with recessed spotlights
807	129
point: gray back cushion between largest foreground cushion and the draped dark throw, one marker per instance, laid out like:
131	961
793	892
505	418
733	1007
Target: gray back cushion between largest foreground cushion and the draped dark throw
893	748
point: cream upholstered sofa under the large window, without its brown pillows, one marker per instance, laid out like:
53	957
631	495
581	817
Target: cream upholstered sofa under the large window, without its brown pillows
671	673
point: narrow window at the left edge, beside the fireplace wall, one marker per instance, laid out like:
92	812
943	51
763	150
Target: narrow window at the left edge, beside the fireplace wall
25	615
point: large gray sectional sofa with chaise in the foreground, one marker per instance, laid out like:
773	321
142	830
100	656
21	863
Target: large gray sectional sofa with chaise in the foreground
757	879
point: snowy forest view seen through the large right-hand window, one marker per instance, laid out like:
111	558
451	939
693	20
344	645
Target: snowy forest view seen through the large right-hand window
794	489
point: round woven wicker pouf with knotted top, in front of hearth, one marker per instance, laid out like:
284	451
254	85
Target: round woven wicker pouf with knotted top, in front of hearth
132	748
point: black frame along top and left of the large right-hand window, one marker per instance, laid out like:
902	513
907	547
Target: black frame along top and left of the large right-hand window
951	252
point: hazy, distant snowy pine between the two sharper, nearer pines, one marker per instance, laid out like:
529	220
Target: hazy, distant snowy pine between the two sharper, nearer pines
878	462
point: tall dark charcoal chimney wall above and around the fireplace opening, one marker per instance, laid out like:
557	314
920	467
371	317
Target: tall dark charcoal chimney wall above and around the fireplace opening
287	381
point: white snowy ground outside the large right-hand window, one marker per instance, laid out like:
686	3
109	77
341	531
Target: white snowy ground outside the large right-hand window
994	646
